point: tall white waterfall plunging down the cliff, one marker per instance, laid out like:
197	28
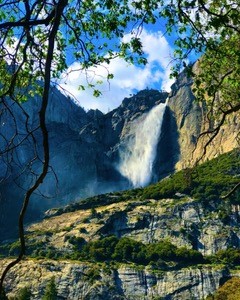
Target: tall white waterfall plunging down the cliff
139	152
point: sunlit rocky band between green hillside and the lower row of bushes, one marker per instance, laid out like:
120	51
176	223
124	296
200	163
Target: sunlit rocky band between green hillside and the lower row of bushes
184	222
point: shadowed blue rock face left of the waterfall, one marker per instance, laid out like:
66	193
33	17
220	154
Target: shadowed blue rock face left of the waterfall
83	152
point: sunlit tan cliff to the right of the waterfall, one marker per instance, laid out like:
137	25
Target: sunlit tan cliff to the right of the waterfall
190	119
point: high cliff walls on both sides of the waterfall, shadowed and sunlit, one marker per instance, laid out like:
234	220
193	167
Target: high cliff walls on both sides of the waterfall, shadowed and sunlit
85	147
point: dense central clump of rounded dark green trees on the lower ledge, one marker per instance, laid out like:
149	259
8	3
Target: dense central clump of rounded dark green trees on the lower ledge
130	251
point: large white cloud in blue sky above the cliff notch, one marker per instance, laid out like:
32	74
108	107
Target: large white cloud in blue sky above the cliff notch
127	78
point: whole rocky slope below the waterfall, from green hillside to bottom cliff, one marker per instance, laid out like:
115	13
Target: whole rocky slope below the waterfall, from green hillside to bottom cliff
205	223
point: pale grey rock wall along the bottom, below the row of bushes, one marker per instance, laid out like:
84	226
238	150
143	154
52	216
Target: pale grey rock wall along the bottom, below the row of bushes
74	281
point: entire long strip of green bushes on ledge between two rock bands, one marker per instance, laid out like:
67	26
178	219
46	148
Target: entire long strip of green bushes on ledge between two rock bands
127	250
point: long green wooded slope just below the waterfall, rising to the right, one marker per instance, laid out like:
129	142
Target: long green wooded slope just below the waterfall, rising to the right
206	182
